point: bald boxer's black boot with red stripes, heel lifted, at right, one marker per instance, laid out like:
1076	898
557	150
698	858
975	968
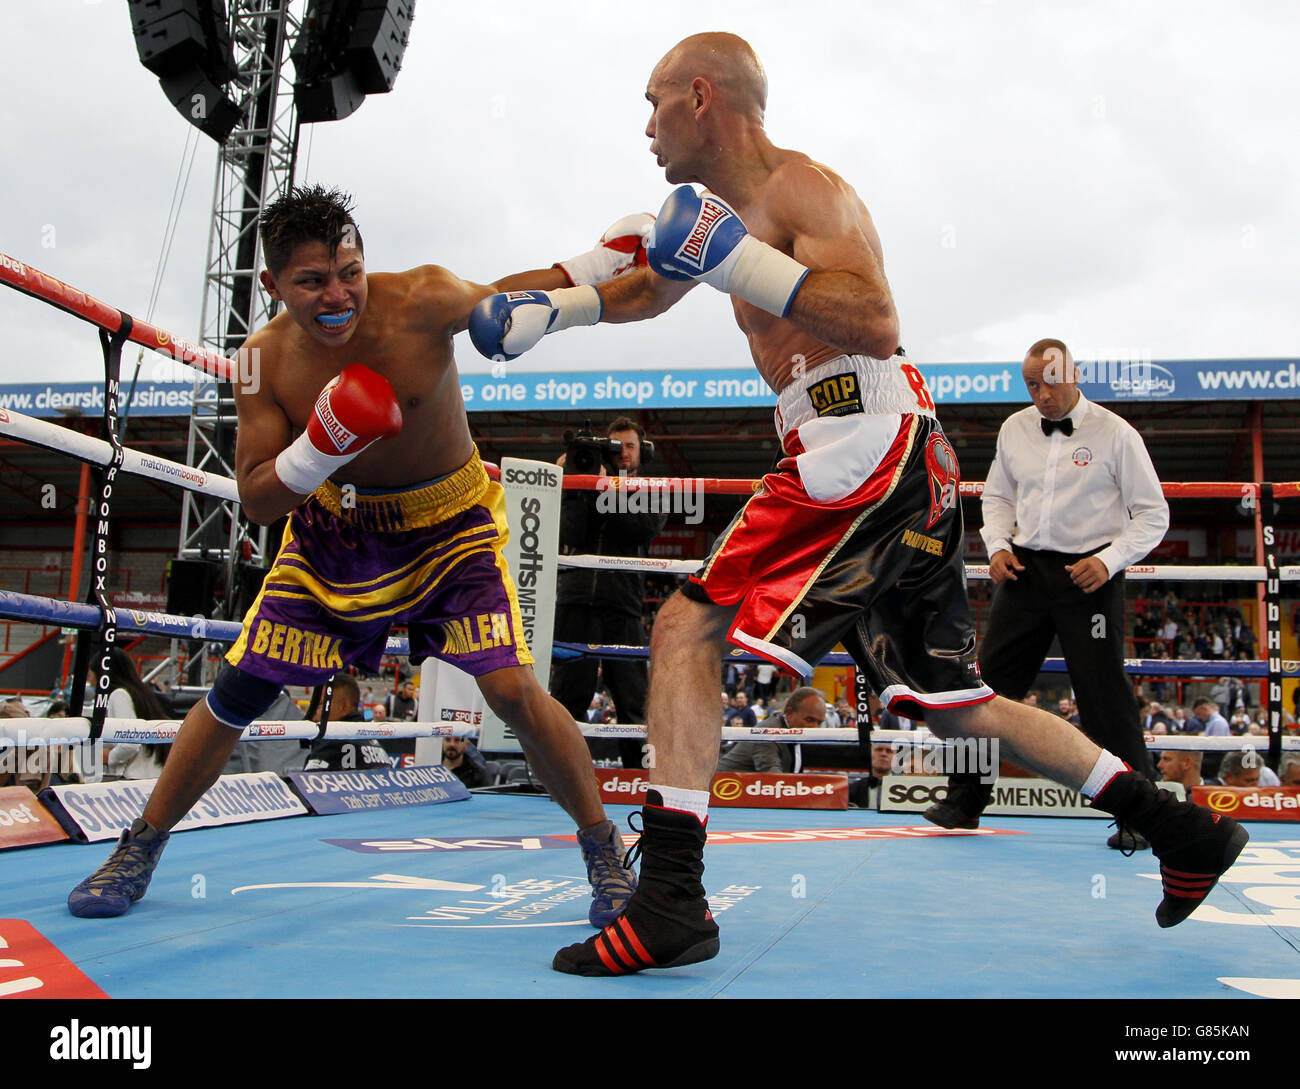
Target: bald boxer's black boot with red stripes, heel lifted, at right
1195	847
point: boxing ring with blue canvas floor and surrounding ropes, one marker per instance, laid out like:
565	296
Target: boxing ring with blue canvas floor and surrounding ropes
470	900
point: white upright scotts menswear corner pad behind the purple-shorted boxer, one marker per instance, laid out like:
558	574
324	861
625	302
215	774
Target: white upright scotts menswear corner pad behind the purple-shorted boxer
534	513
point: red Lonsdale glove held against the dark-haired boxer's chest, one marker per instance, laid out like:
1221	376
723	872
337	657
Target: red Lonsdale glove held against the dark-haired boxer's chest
354	411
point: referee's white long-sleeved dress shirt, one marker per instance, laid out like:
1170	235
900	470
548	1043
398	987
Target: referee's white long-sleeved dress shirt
1093	492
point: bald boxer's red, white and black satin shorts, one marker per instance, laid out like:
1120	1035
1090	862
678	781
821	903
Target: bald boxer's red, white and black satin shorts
856	539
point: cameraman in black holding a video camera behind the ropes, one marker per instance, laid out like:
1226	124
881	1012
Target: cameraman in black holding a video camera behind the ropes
604	606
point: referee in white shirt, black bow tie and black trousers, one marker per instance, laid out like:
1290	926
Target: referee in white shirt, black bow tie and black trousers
1072	500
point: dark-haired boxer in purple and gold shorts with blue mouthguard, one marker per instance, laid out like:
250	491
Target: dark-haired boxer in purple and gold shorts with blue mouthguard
354	427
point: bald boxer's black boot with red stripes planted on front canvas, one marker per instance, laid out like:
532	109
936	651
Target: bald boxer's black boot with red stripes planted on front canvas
668	922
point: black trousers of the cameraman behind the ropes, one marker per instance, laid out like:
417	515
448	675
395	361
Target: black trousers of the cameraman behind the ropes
574	682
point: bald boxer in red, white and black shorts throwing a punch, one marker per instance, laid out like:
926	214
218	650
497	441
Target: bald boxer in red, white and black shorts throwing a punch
856	537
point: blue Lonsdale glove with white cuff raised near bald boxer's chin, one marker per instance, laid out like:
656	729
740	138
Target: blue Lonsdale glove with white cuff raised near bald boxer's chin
701	238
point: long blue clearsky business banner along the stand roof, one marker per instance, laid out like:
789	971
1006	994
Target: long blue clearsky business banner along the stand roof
1104	380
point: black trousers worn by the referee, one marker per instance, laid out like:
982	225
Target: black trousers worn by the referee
1043	605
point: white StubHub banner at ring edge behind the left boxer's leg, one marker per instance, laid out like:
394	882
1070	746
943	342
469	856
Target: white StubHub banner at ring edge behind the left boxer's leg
96	812
